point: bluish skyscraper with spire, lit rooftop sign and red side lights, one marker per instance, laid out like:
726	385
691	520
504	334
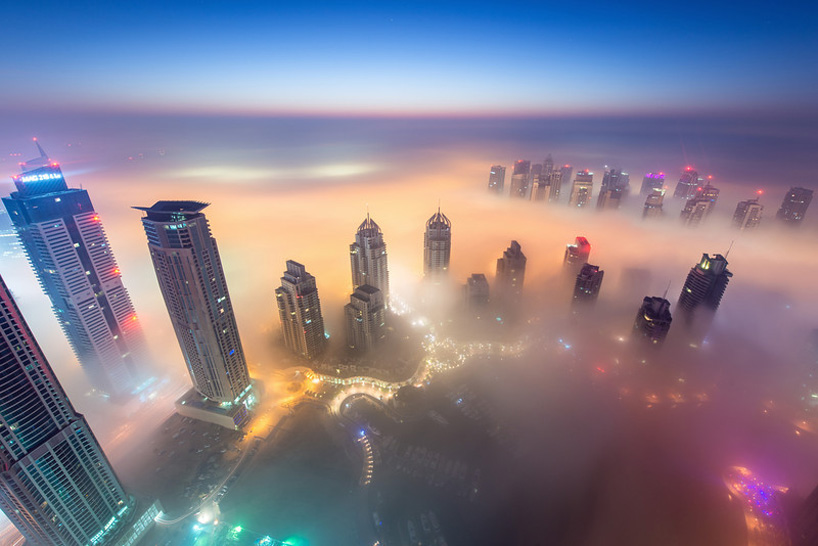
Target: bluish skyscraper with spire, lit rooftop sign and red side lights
73	261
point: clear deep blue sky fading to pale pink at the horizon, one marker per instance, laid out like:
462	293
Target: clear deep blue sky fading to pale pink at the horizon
411	58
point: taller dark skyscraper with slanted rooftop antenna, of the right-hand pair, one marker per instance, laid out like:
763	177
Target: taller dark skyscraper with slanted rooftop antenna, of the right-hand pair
702	293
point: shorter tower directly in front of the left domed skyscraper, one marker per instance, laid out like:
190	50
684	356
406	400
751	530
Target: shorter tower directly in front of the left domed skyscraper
365	318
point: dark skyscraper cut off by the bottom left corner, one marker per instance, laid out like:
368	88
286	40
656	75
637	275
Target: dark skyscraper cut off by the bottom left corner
56	485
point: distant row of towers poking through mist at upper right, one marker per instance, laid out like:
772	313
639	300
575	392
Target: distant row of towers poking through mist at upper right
545	182
